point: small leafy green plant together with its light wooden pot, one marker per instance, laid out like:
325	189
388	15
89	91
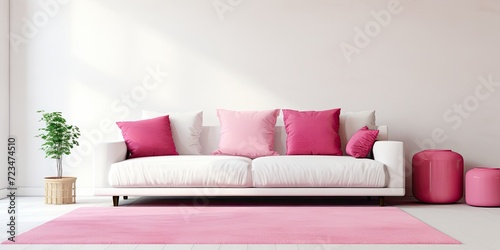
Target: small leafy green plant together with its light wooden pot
59	138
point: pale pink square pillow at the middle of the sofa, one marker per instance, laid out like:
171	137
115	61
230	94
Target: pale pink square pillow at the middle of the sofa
247	133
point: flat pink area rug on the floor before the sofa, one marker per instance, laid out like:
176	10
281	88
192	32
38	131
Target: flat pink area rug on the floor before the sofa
235	225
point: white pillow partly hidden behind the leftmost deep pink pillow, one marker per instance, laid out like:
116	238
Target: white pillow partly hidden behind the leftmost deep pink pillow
186	130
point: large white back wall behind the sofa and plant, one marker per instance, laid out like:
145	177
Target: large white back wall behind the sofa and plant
419	63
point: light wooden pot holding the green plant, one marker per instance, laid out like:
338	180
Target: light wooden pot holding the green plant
60	190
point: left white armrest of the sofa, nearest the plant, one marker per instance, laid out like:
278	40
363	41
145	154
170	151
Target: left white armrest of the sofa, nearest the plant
105	154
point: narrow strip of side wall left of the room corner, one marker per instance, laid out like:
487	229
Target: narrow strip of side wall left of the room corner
4	90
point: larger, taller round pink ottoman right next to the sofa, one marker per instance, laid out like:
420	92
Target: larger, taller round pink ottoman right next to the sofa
438	176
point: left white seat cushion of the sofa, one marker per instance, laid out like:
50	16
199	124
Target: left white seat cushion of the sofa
182	171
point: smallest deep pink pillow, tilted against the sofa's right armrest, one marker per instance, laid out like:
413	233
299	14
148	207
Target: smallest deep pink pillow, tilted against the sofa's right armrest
361	142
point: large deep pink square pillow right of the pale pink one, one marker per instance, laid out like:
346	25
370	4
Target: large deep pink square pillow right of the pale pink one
312	132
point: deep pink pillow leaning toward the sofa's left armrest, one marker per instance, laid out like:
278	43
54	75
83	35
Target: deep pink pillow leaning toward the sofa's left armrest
151	137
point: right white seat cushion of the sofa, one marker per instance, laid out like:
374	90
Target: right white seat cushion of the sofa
317	171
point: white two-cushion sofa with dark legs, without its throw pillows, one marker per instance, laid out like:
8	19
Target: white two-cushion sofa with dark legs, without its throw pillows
211	176
